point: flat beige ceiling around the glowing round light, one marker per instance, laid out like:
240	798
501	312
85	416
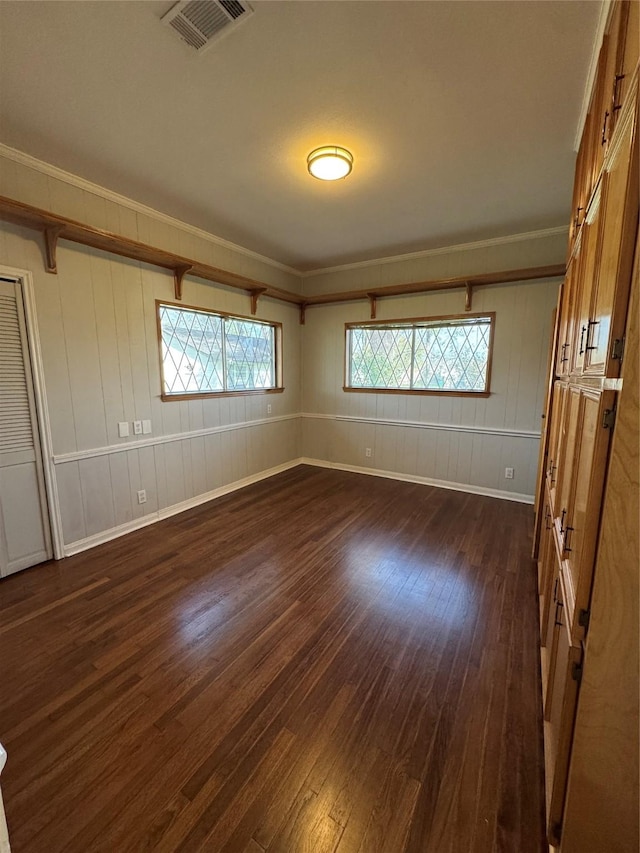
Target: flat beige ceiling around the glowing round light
461	116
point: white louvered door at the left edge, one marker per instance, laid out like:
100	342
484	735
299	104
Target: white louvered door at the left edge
25	537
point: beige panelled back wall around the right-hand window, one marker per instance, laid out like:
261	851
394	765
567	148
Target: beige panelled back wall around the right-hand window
454	440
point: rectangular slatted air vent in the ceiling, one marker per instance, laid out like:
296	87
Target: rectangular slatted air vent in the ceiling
201	22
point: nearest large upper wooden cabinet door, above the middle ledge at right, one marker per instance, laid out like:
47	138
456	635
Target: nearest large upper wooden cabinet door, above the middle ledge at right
619	222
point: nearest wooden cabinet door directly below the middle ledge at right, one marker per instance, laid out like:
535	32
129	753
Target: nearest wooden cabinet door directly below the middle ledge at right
580	529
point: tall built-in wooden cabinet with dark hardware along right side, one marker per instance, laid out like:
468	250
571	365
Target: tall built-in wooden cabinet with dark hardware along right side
581	624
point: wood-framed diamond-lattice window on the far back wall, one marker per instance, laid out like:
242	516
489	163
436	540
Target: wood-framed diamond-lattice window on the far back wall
436	355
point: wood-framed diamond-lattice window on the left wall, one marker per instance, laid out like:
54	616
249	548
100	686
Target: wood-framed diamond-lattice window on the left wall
205	353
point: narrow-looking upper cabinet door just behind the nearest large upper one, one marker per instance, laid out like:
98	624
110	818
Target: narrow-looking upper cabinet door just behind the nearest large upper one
586	285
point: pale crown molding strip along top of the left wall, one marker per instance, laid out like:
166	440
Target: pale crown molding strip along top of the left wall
96	189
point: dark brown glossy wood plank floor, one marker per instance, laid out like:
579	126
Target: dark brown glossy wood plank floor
320	662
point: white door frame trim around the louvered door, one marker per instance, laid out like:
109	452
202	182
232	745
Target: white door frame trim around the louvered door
24	280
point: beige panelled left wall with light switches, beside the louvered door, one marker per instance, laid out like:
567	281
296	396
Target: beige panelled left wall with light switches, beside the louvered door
98	335
